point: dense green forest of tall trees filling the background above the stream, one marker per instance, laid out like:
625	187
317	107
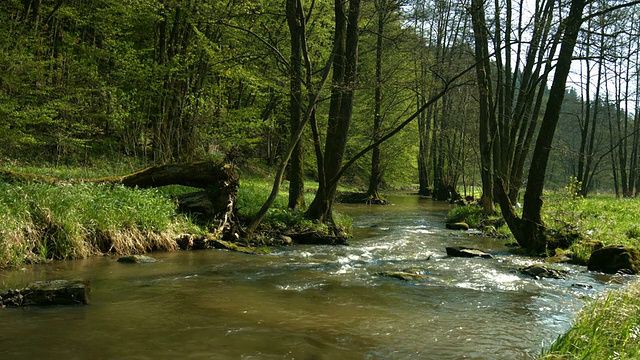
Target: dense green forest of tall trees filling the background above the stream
446	96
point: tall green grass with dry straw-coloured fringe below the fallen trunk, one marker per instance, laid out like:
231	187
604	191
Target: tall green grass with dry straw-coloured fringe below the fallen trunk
41	222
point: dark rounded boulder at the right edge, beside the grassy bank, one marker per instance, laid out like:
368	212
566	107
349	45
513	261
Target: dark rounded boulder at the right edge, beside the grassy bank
615	258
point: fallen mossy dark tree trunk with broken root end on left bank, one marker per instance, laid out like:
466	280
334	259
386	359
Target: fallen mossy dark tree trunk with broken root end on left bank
216	204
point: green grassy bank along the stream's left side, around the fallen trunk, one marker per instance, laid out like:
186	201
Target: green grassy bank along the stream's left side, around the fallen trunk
39	222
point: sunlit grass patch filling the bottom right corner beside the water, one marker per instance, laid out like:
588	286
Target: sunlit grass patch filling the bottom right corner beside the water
608	328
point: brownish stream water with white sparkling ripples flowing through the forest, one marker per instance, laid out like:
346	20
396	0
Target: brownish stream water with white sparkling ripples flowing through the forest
307	302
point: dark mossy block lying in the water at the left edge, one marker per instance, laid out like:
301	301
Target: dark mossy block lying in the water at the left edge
54	292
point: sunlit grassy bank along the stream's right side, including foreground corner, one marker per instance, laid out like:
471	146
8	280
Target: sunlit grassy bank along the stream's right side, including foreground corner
608	327
